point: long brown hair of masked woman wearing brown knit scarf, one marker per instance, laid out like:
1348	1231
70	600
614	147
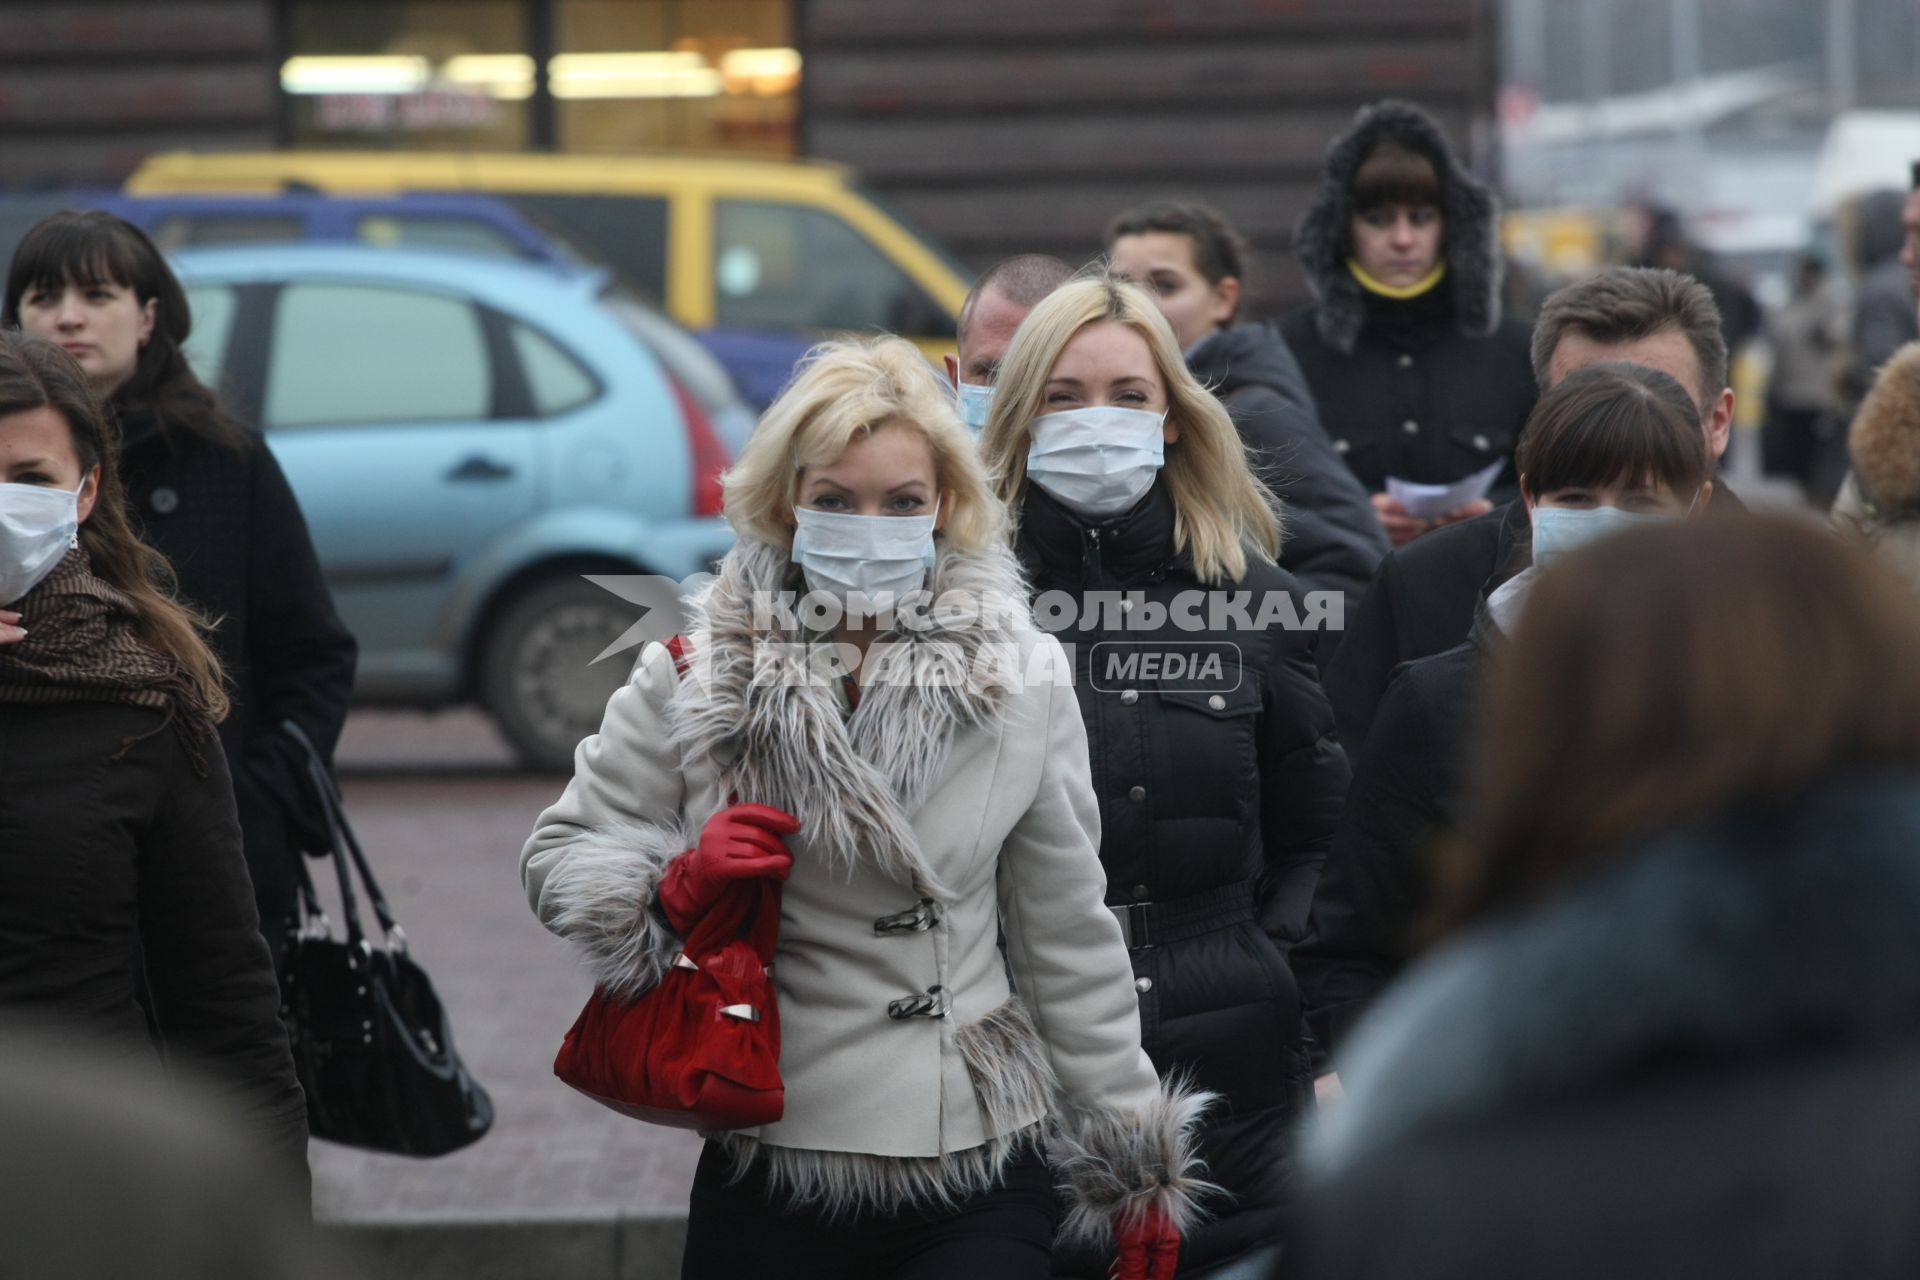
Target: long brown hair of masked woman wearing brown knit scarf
37	375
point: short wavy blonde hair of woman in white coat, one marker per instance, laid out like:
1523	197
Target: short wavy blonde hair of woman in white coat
844	391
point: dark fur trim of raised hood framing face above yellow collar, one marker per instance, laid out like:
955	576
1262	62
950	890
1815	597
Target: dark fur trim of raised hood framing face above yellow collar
1470	214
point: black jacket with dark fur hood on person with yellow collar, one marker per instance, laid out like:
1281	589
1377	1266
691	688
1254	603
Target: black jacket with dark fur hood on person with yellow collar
1428	389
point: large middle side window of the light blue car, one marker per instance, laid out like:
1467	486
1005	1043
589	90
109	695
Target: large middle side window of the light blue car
360	354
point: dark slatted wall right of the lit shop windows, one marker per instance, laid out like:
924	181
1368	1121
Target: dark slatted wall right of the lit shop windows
1024	126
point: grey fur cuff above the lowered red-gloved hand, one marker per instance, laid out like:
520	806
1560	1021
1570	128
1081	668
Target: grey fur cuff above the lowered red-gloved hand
1115	1164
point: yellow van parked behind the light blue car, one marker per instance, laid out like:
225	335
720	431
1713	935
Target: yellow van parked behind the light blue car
723	245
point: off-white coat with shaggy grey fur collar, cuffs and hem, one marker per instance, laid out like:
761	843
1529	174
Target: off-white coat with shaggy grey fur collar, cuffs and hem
969	792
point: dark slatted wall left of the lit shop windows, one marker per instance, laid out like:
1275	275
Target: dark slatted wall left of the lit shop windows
87	89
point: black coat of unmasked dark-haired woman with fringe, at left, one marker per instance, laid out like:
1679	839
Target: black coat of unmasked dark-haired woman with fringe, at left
233	531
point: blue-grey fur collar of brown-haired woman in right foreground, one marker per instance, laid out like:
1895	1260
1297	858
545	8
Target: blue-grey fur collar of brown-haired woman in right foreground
1790	924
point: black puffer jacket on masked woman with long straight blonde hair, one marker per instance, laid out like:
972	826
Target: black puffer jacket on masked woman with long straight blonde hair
1218	799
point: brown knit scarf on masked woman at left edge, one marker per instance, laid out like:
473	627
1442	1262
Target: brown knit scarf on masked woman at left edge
84	648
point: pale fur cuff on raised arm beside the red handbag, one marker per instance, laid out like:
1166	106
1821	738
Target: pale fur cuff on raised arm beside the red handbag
600	899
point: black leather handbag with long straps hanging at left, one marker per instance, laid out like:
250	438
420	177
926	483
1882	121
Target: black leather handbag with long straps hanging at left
372	1041
